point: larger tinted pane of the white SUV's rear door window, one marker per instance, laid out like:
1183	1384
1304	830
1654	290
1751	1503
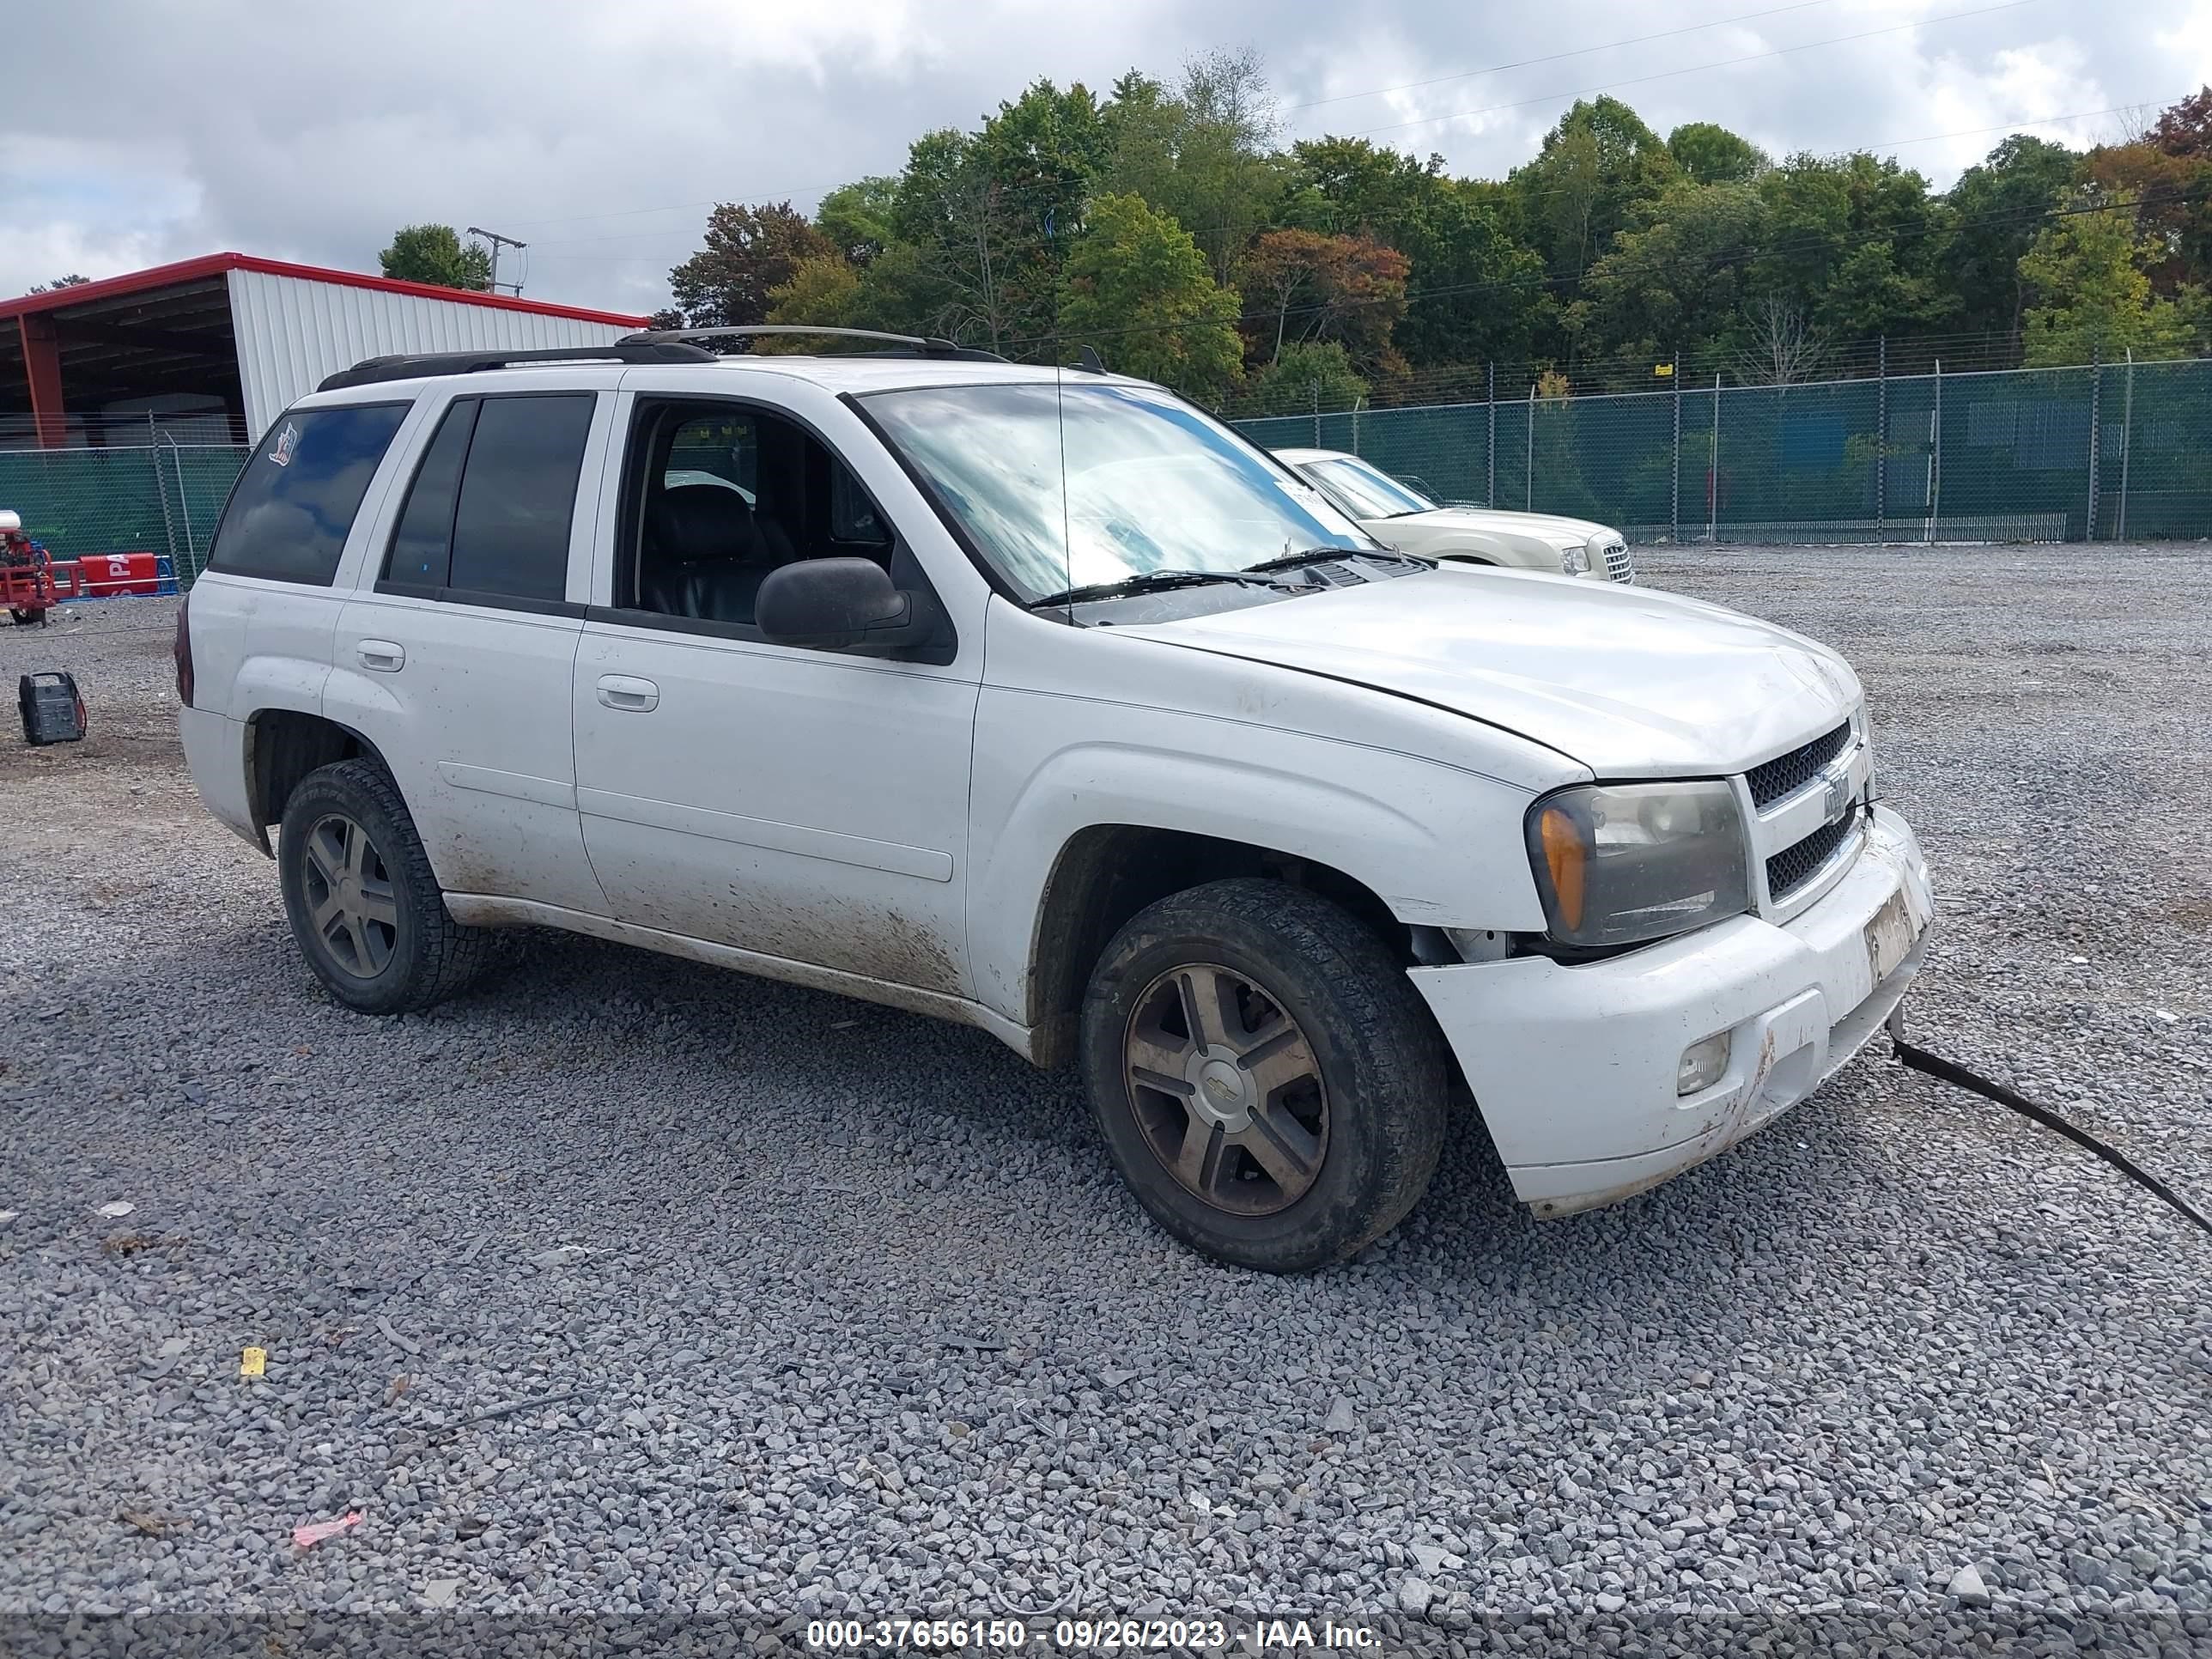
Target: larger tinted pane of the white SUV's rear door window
519	494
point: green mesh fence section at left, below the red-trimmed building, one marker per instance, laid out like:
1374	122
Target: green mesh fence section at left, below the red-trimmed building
152	499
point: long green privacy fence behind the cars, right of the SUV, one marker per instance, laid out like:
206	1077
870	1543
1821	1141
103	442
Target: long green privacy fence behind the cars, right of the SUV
2114	450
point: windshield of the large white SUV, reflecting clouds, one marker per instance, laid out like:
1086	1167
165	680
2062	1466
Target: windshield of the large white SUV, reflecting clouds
1149	483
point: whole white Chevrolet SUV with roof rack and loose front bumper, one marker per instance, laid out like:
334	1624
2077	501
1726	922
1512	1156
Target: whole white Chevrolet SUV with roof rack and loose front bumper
1045	702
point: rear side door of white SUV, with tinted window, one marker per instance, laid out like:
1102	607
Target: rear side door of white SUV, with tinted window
457	651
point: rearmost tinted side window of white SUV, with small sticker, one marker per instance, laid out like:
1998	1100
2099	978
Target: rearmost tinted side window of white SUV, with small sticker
293	505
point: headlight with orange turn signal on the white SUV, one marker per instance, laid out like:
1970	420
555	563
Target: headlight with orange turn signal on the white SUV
1636	862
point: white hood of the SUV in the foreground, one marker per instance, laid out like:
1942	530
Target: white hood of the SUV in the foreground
1625	680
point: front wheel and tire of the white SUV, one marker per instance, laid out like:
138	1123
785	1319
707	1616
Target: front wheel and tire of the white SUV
1324	1134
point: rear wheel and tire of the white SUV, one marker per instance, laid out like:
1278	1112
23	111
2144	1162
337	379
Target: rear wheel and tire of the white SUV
384	943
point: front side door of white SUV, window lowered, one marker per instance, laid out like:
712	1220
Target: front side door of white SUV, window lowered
804	806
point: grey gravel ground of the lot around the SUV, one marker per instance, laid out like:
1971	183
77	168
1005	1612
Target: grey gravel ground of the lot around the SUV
638	1291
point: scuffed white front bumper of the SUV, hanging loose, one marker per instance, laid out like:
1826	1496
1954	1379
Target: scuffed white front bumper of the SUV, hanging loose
1574	1067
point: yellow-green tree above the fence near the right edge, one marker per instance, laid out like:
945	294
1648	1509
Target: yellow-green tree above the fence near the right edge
2094	295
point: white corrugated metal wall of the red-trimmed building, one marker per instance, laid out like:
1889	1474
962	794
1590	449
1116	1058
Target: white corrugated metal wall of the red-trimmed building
293	333
